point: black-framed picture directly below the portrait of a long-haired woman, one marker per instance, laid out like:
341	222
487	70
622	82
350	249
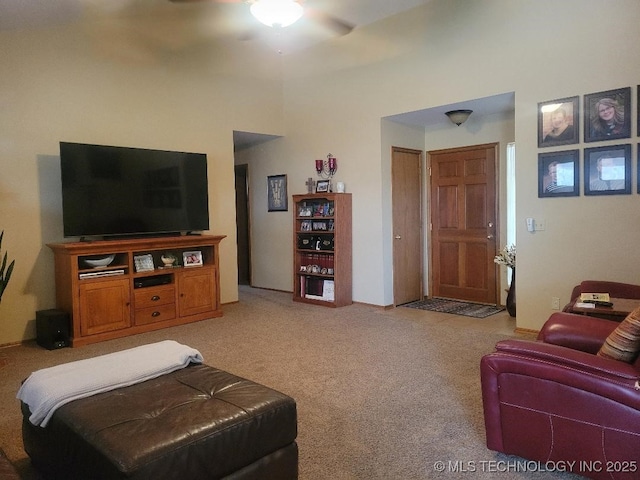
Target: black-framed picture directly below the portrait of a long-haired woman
607	170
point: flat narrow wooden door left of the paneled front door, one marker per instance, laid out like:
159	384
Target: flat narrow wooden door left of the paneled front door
407	225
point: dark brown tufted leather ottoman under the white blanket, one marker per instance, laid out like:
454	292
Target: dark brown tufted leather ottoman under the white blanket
195	423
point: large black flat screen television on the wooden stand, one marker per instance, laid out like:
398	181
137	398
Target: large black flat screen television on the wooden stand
121	191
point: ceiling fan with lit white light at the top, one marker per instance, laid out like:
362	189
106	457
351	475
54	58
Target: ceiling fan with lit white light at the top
282	13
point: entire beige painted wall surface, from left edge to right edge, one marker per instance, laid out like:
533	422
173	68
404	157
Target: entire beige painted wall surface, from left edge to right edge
61	84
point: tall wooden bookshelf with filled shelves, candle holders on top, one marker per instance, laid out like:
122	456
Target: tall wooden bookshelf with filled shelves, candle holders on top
322	249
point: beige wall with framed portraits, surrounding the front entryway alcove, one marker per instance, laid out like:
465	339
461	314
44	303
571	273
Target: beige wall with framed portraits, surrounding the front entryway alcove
337	94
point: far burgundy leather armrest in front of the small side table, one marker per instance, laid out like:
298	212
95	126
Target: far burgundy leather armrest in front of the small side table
578	332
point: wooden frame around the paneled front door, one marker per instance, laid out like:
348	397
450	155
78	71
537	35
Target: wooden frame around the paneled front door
429	230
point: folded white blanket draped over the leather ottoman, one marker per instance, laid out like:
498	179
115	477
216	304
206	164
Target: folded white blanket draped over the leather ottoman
47	389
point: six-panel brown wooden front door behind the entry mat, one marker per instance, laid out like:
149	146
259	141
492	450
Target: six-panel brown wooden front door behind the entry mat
463	223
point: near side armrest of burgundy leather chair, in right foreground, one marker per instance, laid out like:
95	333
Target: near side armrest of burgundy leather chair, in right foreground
532	389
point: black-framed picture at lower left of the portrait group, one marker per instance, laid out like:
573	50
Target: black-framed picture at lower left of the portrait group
559	174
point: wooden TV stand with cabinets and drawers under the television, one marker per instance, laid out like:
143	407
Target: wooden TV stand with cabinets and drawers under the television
124	298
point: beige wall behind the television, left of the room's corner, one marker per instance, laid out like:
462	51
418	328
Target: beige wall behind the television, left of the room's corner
64	84
